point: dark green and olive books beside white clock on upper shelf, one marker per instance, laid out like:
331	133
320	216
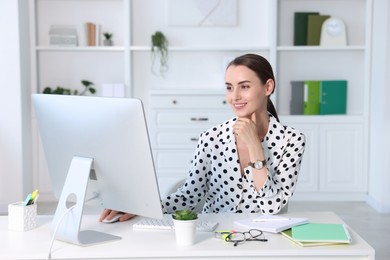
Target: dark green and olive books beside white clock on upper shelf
307	27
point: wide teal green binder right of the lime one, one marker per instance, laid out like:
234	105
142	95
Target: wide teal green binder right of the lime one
333	99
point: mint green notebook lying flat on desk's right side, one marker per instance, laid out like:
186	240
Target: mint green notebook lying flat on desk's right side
321	232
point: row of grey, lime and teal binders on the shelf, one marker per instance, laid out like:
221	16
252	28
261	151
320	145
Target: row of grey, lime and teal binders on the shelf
318	97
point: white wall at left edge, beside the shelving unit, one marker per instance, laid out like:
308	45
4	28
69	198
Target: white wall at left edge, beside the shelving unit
15	180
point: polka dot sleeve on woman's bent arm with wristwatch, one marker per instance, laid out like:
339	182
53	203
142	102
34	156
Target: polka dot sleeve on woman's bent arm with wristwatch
277	190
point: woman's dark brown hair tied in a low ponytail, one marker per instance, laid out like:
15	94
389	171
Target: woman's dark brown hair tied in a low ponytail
263	70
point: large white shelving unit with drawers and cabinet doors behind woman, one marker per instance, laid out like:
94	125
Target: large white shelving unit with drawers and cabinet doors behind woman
197	59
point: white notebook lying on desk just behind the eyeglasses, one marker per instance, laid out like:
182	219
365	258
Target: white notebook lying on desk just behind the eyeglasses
272	224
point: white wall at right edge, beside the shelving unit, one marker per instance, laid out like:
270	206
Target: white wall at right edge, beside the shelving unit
379	191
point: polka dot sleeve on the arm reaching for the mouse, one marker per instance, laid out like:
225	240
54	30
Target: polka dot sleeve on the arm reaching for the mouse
195	187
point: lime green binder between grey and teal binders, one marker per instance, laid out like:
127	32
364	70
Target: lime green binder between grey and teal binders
311	97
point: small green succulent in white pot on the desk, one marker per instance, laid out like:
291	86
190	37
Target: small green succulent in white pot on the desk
185	226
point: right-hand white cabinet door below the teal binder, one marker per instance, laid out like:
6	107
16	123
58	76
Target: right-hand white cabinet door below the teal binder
342	158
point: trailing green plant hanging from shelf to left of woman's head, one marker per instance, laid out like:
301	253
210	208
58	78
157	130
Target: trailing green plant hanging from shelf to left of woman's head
160	51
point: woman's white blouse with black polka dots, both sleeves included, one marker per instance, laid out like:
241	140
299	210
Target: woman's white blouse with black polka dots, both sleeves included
215	174
